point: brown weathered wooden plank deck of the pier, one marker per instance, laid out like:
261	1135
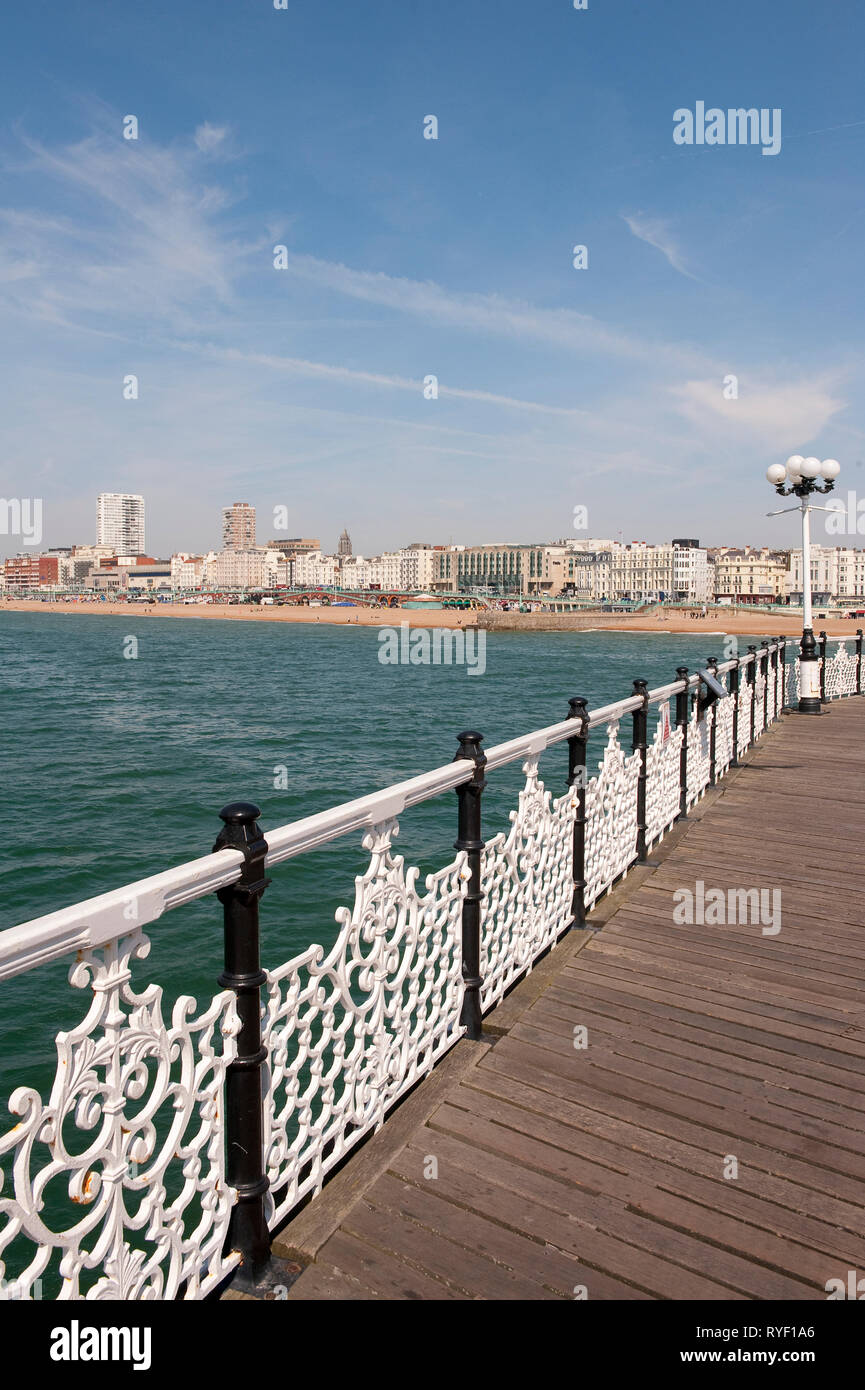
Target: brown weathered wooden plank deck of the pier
560	1170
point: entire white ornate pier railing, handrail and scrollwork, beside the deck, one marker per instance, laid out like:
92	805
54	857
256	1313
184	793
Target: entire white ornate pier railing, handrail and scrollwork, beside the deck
119	1185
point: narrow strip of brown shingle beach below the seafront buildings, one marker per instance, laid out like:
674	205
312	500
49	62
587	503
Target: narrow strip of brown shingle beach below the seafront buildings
738	622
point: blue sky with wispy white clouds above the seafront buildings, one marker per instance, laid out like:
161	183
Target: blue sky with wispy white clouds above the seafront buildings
410	258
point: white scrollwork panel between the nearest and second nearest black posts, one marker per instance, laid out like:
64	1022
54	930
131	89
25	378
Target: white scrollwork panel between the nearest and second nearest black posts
350	1032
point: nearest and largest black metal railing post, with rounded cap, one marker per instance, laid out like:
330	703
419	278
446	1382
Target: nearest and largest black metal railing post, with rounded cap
244	975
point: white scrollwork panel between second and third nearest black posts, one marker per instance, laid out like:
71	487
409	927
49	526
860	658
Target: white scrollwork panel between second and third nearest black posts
528	885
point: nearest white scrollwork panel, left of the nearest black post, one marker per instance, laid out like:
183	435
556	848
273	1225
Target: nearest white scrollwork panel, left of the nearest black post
141	1210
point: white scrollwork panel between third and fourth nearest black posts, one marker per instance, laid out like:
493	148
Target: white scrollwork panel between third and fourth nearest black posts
611	817
